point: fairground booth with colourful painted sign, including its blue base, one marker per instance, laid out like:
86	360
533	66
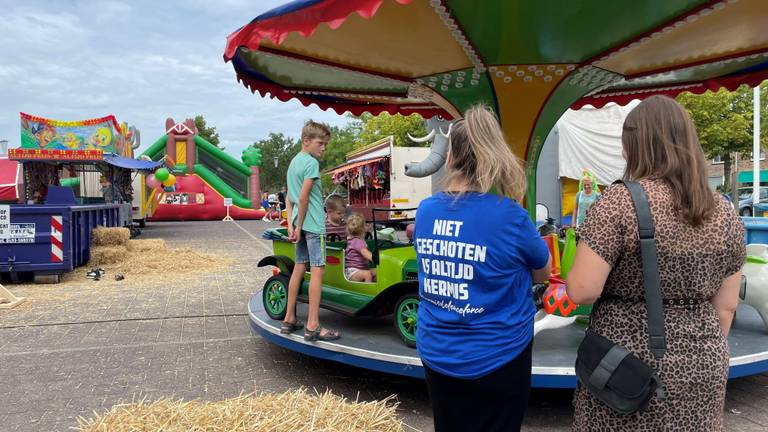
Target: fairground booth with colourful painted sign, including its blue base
74	176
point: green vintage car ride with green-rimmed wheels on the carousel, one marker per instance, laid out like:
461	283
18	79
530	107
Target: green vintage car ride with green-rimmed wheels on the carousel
395	291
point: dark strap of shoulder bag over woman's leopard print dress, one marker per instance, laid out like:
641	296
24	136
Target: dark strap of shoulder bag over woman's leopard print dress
656	338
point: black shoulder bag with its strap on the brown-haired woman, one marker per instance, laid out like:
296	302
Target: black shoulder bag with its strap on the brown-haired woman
608	370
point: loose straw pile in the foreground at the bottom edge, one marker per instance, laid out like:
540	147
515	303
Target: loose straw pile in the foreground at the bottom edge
291	411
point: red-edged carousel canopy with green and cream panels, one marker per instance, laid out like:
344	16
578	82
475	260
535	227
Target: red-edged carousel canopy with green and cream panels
528	60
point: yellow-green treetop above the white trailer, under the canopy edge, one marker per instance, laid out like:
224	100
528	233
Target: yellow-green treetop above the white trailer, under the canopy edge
385	124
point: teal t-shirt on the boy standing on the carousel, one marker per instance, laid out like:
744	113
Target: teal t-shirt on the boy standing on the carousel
304	167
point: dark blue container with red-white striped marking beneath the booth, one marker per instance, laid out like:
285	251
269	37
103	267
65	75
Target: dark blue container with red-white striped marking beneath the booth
52	239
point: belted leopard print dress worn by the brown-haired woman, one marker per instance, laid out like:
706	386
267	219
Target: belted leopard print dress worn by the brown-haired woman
693	261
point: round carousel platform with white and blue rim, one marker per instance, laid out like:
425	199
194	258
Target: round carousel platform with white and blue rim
371	343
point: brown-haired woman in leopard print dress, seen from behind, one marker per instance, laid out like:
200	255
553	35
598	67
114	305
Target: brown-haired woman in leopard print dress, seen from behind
700	244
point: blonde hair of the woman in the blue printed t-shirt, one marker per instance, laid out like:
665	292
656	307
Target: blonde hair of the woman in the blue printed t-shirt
481	158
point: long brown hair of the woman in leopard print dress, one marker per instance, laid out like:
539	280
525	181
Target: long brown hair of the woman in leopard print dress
660	142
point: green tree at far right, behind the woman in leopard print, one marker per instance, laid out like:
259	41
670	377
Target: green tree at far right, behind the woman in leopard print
723	121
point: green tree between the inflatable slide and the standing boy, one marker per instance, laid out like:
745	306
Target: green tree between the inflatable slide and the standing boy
284	149
